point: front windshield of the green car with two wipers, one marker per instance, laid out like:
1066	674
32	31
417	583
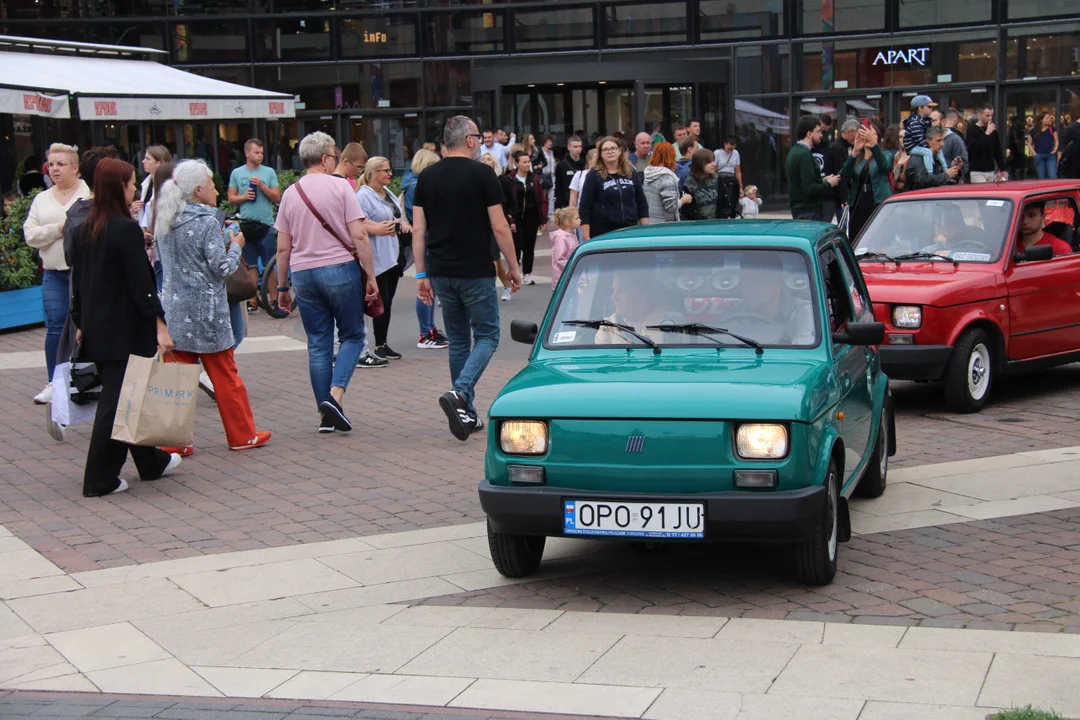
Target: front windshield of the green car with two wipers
763	296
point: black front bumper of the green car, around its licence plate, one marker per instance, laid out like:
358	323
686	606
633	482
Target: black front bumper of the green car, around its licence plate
730	515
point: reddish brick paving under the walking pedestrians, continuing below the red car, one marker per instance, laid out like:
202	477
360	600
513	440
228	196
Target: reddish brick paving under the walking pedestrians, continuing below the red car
401	470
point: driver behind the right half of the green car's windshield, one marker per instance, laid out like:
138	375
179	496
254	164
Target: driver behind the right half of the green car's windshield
769	313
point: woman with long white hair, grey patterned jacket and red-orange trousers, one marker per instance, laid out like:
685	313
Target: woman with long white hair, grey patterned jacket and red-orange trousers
196	264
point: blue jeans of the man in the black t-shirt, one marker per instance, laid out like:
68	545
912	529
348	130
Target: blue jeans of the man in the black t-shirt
471	317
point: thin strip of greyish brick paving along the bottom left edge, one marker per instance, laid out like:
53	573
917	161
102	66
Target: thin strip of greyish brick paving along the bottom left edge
16	704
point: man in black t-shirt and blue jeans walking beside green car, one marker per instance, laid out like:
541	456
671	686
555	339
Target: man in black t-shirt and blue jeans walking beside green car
456	210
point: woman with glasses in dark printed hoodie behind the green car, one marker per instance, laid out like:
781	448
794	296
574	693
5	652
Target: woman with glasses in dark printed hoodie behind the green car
613	195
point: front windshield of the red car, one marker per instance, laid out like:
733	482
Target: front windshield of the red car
967	230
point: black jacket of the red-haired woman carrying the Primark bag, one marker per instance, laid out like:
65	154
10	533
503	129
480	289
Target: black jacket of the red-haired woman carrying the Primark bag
114	293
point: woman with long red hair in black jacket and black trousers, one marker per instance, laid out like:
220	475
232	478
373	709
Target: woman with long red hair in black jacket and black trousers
116	309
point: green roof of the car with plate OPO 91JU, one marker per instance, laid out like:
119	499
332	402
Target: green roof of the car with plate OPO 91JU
801	235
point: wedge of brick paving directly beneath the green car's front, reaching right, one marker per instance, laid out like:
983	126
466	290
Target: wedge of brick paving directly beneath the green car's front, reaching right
1010	574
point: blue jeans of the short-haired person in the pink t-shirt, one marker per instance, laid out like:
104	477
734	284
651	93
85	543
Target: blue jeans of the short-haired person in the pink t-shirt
327	297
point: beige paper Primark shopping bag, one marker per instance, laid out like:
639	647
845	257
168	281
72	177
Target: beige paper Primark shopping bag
157	403
